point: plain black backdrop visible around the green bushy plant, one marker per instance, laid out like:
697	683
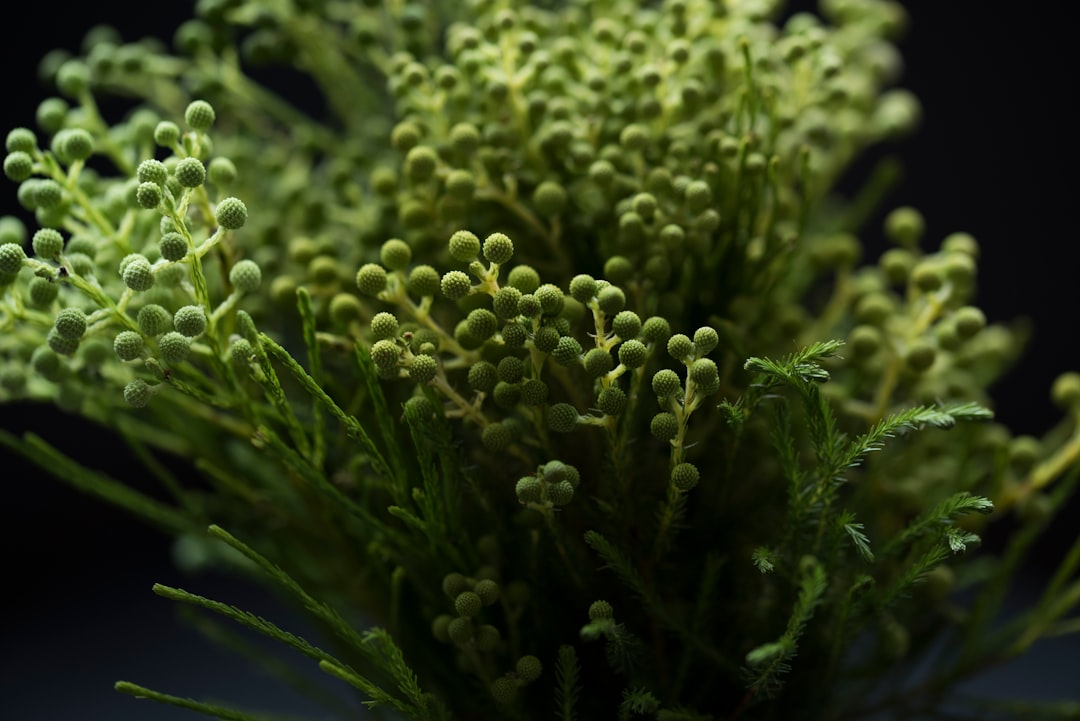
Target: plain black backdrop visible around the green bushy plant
996	157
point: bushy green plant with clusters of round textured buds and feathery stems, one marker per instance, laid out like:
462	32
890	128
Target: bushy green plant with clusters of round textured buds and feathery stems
552	378
